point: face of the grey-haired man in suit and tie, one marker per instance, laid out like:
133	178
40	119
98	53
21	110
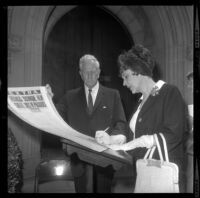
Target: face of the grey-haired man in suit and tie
89	73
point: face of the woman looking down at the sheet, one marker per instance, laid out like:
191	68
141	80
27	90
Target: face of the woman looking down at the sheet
131	80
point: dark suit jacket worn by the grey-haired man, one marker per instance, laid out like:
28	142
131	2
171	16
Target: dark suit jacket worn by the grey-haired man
107	111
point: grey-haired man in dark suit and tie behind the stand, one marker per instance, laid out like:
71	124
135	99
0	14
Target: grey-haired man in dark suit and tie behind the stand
90	110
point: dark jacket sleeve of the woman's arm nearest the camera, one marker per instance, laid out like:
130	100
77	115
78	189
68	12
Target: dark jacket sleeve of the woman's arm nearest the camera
174	118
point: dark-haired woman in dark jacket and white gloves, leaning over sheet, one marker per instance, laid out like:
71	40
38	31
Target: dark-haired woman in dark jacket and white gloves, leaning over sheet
161	108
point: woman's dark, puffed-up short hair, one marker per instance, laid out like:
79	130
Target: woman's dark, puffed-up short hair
139	59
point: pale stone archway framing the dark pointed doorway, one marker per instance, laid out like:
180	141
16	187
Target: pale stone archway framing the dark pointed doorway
166	30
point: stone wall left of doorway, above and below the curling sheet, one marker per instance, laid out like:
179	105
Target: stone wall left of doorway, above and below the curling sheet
25	35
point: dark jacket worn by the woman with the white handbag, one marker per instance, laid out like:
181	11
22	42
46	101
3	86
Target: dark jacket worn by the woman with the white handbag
163	113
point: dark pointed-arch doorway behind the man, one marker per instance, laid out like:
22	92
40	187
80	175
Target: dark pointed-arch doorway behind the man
86	30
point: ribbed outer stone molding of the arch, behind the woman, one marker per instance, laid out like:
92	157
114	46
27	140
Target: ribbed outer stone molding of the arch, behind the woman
173	46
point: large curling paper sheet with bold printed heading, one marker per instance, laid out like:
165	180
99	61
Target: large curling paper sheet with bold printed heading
34	106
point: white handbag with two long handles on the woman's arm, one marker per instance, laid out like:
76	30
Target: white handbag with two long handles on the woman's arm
156	176
